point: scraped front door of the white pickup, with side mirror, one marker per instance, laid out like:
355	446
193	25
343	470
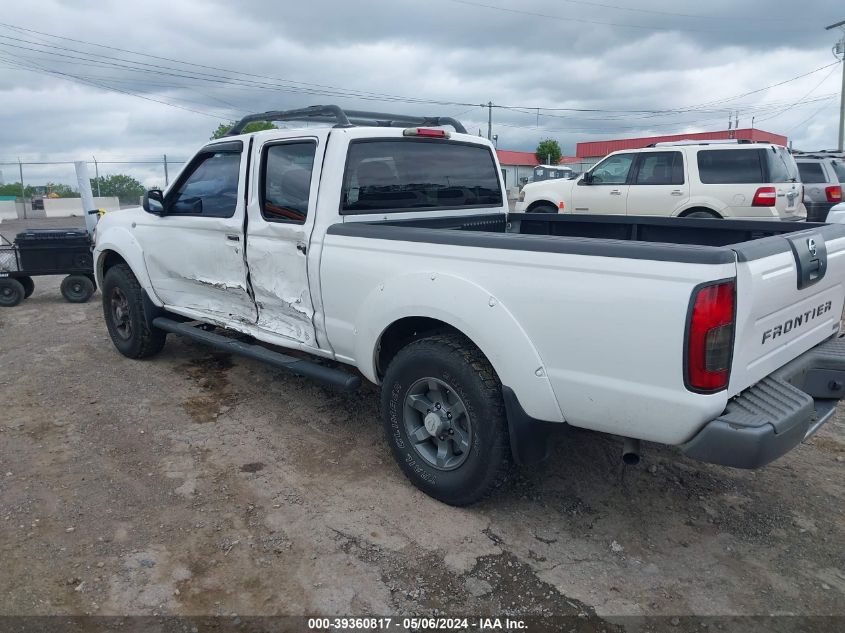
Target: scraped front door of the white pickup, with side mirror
194	250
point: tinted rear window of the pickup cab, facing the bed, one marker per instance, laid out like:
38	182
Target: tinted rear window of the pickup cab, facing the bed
395	175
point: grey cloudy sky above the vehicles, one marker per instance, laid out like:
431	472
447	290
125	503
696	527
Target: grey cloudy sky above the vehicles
638	68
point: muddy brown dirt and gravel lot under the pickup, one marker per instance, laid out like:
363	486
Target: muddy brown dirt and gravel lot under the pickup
199	483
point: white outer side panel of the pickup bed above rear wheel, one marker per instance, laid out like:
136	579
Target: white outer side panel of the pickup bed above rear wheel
599	339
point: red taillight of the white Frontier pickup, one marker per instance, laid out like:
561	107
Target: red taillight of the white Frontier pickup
710	334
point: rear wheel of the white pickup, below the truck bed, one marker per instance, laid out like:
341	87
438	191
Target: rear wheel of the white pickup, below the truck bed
444	419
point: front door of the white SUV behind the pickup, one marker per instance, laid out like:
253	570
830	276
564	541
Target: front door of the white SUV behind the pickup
607	192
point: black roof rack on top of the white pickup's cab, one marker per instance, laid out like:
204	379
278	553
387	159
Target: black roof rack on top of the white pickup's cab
345	118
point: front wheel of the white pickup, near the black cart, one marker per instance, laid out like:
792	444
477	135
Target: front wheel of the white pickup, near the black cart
123	309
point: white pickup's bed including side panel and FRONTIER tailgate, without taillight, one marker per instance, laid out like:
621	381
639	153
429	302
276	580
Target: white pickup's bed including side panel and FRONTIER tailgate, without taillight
605	298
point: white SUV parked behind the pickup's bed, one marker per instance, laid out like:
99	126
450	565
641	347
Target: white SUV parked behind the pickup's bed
718	179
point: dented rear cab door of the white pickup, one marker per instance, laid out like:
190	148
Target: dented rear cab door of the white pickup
281	217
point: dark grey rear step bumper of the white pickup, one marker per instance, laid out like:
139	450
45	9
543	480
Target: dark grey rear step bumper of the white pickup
778	413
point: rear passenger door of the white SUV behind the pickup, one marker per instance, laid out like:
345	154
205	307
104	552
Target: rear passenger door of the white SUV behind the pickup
658	184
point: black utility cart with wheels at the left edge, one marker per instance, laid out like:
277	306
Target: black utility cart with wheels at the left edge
46	252
